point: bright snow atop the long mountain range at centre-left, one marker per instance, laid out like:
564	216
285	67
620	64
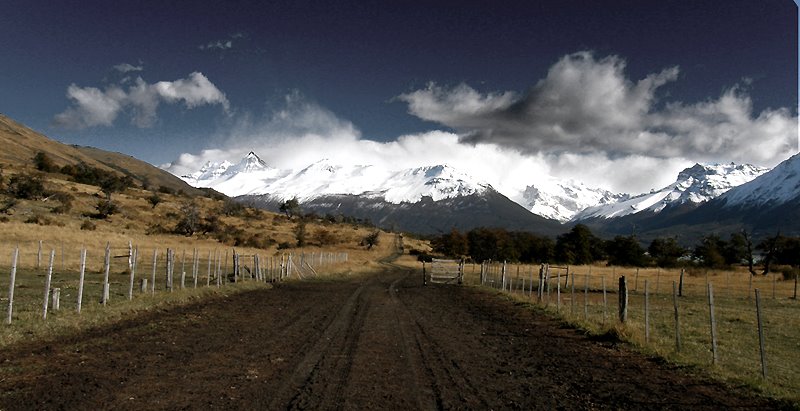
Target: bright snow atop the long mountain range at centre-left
252	176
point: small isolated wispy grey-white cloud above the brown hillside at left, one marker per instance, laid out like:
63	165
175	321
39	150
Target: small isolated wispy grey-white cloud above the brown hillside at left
94	107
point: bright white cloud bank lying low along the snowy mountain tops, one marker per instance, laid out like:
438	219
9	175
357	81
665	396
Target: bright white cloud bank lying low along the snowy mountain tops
302	132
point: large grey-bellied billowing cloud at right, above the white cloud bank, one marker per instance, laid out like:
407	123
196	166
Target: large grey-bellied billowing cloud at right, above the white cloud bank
588	105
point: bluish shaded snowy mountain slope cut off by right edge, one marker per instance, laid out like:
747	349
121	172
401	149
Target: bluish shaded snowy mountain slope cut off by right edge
779	186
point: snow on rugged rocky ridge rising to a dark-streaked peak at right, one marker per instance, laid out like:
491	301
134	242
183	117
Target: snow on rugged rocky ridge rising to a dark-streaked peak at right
695	185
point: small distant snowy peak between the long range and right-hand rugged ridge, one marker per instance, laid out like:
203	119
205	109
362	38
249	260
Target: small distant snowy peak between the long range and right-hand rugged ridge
562	200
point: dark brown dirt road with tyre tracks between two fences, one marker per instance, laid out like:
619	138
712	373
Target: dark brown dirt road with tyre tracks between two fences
379	341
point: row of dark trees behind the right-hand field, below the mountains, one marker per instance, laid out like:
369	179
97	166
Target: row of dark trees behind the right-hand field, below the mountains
581	246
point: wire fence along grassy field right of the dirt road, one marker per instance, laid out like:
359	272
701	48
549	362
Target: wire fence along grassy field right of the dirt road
747	326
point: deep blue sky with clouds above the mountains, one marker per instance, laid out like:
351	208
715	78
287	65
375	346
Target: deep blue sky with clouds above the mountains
640	84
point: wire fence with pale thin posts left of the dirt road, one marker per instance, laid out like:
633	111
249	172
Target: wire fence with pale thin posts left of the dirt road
46	277
